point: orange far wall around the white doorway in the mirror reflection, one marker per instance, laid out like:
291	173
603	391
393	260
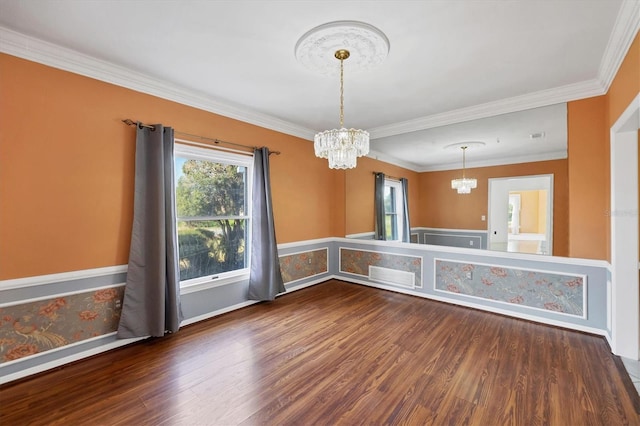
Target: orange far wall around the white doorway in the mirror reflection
442	207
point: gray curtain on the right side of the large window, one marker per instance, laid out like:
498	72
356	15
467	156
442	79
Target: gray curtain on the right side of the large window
265	282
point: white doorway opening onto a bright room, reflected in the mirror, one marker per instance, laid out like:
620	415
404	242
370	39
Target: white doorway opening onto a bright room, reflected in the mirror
521	214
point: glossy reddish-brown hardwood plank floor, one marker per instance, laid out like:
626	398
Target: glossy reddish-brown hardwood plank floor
339	353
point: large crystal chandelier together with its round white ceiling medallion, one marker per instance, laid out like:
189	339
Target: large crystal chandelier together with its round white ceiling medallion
339	40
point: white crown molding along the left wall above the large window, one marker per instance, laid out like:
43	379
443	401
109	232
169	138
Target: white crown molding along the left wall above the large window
33	49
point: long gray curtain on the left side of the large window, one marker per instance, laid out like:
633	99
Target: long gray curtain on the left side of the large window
151	305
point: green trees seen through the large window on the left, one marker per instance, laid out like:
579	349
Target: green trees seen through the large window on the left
207	247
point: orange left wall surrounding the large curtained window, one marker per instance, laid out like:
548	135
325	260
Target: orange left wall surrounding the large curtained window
67	168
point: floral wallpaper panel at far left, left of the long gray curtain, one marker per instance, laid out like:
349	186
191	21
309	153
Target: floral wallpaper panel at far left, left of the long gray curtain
34	327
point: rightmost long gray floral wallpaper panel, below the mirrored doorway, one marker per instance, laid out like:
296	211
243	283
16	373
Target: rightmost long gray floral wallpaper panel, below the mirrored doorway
536	289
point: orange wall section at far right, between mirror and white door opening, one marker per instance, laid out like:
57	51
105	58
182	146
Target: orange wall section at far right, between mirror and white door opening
589	121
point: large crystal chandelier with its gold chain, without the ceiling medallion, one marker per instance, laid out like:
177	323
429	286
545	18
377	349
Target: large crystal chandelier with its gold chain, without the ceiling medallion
341	146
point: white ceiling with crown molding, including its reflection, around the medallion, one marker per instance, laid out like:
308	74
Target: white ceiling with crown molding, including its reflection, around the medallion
450	61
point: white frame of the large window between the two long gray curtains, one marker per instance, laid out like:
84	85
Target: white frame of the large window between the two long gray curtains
223	157
